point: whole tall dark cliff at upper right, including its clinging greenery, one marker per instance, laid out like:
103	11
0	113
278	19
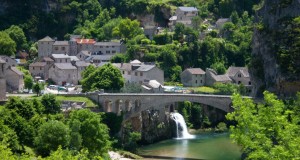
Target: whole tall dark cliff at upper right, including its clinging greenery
276	59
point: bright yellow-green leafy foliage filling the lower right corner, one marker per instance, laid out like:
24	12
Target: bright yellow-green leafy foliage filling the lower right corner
263	135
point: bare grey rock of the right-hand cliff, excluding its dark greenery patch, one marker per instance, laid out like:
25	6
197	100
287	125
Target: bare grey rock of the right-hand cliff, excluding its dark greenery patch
265	69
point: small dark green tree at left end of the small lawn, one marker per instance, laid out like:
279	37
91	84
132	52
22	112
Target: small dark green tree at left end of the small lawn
52	106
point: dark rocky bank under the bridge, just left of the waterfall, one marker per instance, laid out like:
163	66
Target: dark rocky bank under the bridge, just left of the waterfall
154	125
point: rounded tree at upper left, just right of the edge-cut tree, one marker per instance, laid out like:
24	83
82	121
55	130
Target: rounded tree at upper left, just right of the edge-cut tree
16	34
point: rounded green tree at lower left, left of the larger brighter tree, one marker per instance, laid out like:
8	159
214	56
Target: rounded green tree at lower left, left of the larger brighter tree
50	136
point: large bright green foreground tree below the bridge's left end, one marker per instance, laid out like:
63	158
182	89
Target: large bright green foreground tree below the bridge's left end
94	134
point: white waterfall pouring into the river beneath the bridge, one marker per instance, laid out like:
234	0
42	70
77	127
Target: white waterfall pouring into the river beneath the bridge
181	128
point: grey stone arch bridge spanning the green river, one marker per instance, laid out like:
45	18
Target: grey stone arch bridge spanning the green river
133	103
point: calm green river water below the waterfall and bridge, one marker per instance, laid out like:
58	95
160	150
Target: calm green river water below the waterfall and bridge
204	146
